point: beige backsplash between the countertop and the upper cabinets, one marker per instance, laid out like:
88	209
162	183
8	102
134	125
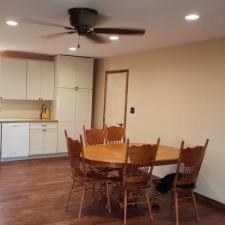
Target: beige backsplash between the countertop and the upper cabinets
21	109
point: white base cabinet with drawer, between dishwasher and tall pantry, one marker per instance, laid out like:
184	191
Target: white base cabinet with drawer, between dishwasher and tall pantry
43	138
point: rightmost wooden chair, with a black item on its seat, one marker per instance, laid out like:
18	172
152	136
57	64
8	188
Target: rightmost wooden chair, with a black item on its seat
188	167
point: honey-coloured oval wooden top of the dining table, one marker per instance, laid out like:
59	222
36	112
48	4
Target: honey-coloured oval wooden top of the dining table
115	154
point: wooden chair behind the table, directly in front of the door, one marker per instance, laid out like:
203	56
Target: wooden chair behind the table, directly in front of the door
114	135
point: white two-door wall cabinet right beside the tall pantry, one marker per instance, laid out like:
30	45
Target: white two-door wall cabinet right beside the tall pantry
40	80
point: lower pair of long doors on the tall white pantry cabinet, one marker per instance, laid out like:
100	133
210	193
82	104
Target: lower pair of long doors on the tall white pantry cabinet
74	111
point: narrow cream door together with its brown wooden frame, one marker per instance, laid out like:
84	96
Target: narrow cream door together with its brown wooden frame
115	105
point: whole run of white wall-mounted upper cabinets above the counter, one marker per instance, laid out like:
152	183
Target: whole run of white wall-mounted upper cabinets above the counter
22	79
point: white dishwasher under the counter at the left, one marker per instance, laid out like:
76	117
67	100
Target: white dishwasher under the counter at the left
15	140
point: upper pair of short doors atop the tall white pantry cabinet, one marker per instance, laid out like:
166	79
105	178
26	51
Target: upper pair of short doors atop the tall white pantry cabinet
74	72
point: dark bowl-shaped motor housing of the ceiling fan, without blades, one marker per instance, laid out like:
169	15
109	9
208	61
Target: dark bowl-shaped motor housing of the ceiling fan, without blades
82	19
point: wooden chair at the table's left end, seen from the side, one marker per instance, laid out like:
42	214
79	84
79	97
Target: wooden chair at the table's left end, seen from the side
82	178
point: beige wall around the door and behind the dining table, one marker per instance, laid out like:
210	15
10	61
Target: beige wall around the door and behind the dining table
178	94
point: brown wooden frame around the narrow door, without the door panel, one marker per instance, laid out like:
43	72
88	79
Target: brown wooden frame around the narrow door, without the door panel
112	72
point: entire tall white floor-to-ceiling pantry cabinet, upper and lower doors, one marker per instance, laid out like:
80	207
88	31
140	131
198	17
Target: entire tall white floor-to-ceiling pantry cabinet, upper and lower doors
73	104
